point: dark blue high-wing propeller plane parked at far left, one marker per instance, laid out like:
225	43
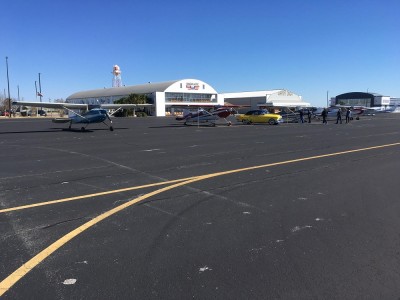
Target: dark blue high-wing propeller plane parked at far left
91	113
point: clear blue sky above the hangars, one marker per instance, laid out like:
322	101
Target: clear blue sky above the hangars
306	46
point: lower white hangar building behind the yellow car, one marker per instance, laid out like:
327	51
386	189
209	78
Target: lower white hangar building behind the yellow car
264	99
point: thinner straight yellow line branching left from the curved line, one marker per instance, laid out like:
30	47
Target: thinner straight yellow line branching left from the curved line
88	196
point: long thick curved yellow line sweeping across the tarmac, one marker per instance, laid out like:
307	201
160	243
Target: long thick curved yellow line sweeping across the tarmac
13	278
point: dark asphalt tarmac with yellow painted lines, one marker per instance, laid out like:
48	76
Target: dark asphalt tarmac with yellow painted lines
158	210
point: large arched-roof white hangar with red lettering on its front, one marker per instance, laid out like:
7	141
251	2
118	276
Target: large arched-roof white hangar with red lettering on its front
165	96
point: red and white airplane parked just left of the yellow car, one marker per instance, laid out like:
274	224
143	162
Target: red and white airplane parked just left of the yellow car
206	117
